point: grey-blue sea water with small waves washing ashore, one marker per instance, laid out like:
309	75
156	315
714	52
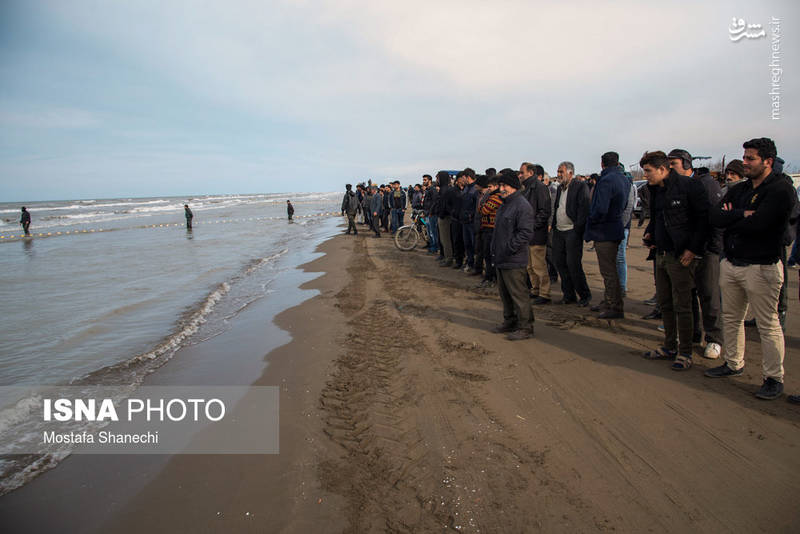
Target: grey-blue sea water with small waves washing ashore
107	291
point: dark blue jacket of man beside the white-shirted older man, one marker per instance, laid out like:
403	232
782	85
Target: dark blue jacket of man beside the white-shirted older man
608	202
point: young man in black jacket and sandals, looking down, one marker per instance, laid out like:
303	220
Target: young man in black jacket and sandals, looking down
678	230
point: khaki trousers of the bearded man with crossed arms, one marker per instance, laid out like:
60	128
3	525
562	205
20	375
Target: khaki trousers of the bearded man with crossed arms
758	286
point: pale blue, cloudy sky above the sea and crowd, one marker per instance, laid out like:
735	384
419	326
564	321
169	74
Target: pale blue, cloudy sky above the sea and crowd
106	99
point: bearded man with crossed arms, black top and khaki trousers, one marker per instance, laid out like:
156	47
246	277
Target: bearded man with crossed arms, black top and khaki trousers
754	214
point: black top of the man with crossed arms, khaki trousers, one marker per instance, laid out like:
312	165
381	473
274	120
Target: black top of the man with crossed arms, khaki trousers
756	239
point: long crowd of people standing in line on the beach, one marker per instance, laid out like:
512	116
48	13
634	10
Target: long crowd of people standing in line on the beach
718	246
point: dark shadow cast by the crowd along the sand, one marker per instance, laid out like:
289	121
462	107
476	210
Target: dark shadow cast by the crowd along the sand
636	335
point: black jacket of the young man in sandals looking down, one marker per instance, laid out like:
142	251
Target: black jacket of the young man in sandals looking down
685	213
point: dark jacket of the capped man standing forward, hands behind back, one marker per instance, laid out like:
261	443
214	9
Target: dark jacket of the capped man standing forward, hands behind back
513	228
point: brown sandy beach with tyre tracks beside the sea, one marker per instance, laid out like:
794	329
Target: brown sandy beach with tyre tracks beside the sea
400	412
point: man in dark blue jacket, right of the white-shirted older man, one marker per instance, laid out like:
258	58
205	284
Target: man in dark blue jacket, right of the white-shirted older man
605	228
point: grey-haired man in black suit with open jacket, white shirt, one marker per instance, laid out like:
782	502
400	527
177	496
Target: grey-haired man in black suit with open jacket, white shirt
569	222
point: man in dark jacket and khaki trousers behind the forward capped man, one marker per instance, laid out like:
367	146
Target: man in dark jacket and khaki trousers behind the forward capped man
538	196
